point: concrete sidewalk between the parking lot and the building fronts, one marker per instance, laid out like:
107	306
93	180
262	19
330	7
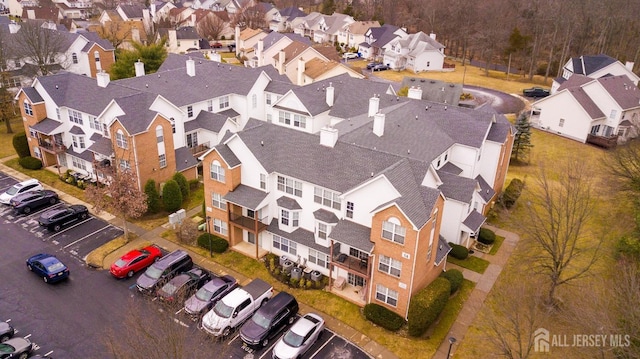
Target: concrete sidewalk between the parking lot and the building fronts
365	343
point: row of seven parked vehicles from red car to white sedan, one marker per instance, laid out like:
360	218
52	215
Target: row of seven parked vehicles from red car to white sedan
220	304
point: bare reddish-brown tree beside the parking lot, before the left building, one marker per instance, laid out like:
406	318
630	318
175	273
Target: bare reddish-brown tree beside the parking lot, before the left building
120	196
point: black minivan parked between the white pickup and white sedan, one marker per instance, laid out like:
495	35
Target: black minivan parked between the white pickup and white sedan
270	320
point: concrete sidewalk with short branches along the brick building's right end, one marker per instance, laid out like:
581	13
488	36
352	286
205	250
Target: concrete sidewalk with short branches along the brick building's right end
484	283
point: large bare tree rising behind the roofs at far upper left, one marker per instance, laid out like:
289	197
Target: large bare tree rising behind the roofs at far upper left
40	46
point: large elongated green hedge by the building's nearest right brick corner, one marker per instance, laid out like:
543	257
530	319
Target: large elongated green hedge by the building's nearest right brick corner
426	306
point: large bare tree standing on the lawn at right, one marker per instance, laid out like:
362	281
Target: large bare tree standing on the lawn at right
560	208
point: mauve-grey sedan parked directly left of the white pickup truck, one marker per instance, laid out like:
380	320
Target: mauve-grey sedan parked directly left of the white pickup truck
207	296
